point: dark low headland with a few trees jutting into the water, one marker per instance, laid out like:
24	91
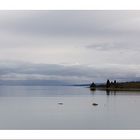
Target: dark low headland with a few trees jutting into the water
117	86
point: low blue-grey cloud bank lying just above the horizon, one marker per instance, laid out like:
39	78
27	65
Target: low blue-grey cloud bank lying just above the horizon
73	74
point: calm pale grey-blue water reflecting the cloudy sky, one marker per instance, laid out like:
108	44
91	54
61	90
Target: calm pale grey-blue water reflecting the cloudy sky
37	107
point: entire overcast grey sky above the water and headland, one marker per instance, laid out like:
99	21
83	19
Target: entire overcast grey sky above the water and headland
76	46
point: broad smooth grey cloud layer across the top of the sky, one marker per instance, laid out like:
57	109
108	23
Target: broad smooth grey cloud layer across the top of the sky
62	23
